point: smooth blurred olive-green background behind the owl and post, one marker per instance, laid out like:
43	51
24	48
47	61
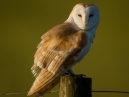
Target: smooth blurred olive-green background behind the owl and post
22	22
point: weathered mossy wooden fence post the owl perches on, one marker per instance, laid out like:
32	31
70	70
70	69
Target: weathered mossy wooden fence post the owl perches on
75	86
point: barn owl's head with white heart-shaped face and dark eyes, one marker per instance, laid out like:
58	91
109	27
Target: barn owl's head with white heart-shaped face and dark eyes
85	16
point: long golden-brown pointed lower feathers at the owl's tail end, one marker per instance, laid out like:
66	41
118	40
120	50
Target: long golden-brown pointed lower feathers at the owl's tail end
44	82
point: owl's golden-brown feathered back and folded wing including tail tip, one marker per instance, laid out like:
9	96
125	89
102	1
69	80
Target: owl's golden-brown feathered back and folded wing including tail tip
56	53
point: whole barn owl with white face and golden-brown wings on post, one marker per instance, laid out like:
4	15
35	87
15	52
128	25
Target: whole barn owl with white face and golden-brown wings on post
63	46
